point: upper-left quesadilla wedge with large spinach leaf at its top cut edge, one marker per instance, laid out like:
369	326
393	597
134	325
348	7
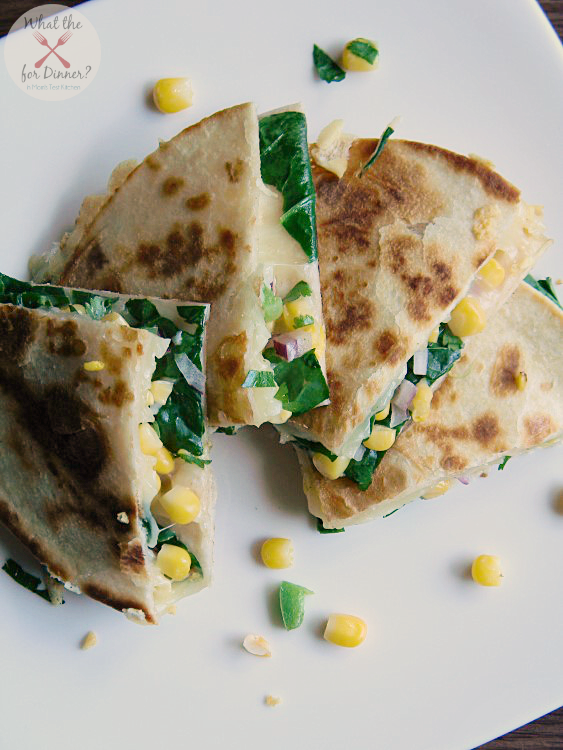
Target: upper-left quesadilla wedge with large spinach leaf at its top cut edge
223	213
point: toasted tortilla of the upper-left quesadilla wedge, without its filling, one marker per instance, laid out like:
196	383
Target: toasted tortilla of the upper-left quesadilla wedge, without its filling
195	221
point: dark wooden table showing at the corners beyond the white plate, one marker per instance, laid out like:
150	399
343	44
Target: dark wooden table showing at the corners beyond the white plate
545	733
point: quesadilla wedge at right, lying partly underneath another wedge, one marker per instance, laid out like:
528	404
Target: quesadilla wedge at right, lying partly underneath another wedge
504	397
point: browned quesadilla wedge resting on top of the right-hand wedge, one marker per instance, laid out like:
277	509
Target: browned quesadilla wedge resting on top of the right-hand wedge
417	252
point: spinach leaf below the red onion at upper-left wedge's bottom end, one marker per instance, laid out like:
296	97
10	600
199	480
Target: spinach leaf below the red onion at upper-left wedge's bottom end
302	384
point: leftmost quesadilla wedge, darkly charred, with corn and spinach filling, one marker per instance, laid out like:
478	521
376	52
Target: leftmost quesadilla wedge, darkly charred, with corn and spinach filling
104	460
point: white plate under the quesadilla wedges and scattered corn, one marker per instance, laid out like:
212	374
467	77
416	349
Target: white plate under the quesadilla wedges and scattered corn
447	664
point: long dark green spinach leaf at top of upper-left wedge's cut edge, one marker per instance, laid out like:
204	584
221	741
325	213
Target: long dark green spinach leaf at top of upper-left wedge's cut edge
285	164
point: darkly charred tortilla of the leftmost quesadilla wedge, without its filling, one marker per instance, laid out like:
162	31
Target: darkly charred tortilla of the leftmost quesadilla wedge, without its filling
75	486
